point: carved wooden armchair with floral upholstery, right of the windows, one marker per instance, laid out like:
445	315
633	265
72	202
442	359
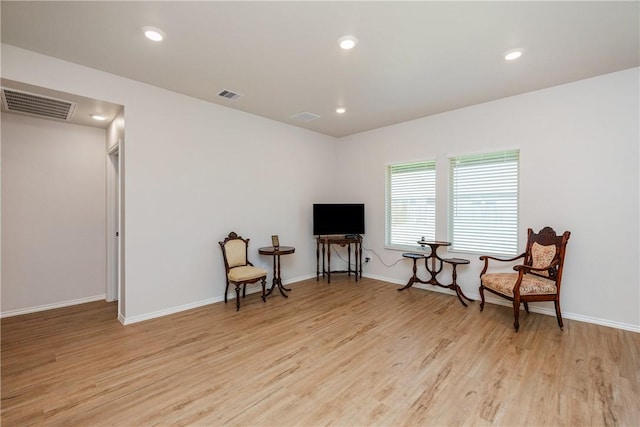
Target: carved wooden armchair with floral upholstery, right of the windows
538	278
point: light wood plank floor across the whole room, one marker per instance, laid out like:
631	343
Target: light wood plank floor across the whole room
343	354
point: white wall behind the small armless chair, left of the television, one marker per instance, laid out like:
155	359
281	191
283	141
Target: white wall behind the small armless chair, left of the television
195	171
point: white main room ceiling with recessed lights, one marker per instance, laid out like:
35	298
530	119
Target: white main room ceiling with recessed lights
413	59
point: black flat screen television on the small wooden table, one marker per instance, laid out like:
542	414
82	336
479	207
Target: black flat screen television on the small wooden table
338	218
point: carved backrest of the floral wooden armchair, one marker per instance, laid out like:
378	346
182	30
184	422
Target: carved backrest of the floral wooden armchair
545	248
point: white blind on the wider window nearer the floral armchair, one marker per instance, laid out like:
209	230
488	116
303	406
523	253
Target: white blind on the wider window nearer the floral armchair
483	203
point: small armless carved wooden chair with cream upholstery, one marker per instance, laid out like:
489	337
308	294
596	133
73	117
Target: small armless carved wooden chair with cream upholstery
238	269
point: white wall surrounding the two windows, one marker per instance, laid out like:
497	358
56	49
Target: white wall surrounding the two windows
579	161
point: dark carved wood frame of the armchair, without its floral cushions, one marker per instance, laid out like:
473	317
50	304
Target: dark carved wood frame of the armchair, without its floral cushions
547	236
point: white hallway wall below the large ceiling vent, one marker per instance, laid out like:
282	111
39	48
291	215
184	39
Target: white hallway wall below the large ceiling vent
53	213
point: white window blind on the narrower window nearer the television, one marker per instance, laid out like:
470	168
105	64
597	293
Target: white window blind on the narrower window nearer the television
410	203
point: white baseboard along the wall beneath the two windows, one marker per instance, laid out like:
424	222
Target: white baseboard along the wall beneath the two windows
532	307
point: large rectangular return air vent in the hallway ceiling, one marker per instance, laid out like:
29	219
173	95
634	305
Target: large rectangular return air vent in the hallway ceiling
36	105
